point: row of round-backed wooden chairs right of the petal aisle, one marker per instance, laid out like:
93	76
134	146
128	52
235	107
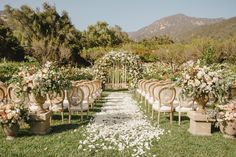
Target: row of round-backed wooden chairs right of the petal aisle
163	96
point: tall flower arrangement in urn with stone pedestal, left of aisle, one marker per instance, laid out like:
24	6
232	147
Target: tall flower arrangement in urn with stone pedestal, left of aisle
38	83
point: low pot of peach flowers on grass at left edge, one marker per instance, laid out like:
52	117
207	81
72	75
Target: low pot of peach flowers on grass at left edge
10	116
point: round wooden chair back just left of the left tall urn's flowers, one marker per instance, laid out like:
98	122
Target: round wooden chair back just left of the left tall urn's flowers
15	95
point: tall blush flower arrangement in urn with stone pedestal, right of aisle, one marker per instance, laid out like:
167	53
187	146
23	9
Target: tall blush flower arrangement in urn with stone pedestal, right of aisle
201	83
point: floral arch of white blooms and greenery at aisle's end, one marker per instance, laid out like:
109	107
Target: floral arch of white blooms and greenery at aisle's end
131	62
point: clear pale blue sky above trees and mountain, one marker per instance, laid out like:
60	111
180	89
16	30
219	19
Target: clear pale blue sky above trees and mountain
132	14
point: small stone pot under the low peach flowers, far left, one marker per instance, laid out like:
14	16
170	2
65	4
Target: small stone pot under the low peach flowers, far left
11	131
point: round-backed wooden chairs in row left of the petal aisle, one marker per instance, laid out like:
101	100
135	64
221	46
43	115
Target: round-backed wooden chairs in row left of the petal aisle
80	98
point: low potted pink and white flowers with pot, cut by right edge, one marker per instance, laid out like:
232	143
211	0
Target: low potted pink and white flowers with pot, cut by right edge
226	118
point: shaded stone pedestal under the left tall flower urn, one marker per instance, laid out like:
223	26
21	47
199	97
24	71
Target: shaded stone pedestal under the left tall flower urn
40	123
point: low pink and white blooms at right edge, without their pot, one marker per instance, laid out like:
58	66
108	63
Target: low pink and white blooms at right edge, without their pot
227	112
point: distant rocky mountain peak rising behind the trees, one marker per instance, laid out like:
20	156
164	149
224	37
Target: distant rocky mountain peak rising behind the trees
173	26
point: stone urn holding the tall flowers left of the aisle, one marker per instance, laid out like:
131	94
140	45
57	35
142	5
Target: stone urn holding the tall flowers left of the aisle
39	101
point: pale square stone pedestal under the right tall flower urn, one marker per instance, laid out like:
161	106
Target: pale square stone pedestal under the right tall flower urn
199	124
